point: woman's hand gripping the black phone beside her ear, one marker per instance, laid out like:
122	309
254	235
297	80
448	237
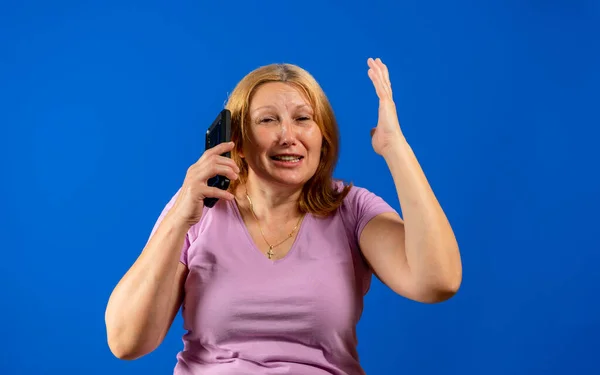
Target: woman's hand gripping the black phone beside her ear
190	201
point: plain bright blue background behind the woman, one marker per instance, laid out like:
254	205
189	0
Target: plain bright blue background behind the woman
104	106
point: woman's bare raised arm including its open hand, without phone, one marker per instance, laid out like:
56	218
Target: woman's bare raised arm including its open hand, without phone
418	257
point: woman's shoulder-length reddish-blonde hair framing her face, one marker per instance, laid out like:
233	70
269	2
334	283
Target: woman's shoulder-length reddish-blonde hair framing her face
319	196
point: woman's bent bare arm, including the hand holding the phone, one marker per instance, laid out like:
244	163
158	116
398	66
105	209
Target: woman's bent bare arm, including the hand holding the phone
144	303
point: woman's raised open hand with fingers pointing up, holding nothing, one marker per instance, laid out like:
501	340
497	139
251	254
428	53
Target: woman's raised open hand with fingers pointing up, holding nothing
388	130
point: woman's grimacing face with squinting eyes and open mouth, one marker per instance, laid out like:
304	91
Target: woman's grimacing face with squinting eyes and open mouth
284	145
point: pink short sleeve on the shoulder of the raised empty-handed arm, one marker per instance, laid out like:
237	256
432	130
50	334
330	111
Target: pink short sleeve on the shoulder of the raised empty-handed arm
364	206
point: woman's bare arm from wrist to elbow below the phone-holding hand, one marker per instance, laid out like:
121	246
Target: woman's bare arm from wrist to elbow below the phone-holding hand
144	303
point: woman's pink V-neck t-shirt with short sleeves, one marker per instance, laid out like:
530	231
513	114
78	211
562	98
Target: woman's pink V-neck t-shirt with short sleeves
246	314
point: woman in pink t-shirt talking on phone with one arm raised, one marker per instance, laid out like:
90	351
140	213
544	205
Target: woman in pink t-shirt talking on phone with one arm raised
271	279
